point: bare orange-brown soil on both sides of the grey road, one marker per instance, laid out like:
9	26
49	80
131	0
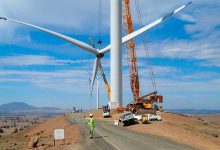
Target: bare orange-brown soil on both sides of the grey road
198	131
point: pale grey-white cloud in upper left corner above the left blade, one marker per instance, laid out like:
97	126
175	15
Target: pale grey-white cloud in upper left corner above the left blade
67	14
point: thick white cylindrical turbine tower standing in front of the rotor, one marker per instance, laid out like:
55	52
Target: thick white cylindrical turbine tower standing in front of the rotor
116	53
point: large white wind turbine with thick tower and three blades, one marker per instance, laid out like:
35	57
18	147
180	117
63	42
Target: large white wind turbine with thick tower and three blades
116	41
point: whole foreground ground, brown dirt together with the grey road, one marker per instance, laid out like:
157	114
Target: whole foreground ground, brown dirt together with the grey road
173	132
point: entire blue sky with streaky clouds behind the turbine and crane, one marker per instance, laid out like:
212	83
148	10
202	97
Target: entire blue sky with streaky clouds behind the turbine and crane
43	70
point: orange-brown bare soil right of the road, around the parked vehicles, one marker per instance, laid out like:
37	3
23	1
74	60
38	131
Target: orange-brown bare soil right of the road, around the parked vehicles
179	128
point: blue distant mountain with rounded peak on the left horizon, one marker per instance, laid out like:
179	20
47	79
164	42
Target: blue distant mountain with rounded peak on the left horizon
20	108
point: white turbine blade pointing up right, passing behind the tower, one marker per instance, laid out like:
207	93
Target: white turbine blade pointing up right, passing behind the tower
147	27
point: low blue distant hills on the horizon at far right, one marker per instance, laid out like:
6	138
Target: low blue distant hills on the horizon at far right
194	111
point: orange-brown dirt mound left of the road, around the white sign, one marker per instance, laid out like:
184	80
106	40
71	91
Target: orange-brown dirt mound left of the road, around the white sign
44	133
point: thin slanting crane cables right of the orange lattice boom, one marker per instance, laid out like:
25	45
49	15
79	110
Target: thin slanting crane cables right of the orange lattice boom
147	53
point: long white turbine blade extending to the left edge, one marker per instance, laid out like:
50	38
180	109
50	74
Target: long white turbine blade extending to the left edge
64	37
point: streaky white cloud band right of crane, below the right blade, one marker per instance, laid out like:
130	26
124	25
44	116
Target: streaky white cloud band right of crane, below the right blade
206	49
